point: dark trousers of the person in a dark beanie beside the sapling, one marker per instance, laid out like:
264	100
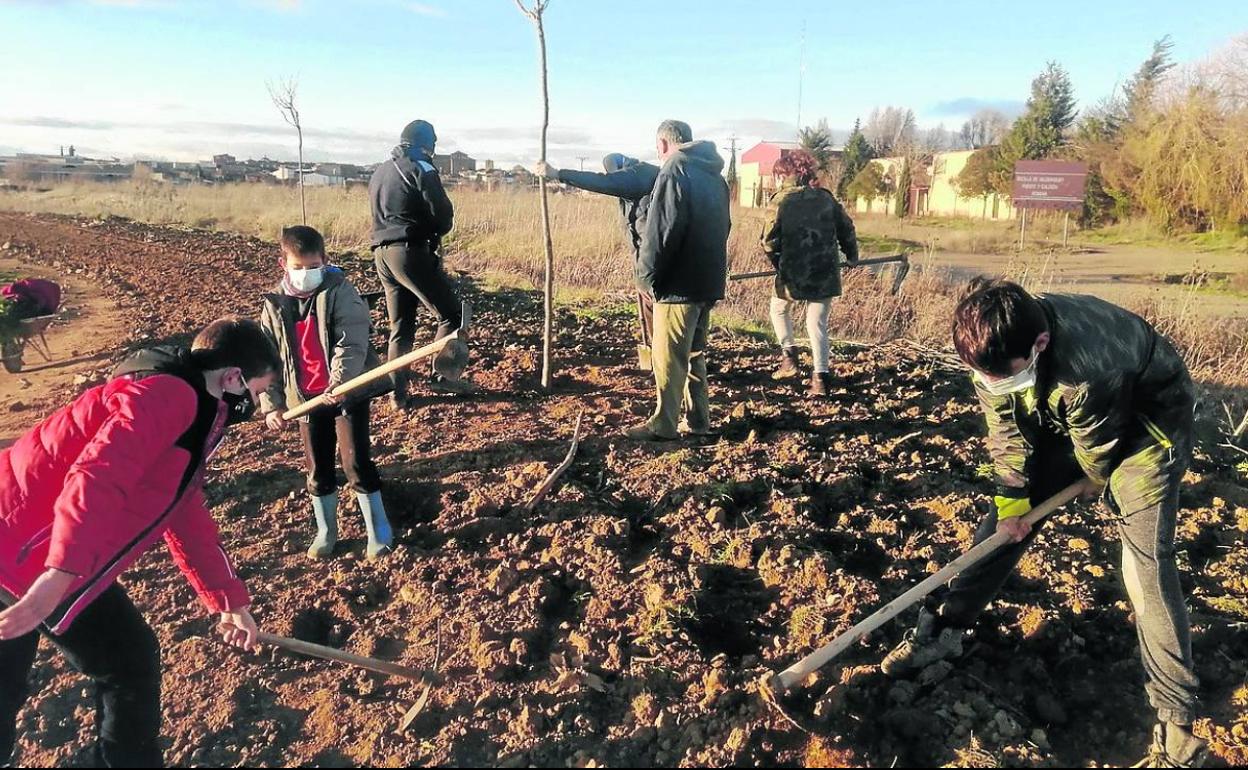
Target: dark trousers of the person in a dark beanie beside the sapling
412	276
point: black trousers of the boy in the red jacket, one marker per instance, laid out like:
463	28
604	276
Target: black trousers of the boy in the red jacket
113	646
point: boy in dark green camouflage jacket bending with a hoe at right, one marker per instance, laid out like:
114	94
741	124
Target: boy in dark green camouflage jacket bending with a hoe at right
1075	387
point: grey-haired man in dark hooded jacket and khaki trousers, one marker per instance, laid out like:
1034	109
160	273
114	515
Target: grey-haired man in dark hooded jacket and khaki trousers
683	264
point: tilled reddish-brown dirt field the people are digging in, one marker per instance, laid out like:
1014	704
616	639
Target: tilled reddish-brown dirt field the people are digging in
628	620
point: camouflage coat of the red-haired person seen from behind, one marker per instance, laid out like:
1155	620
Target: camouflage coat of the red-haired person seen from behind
806	238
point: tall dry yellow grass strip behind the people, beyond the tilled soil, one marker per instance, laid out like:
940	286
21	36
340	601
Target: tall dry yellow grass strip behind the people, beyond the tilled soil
497	234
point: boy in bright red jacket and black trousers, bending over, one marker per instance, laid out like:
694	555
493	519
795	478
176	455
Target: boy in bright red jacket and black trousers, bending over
95	486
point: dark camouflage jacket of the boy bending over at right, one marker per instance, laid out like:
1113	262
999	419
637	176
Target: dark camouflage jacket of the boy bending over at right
1115	387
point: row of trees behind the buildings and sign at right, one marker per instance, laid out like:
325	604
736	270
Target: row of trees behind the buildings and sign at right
1170	145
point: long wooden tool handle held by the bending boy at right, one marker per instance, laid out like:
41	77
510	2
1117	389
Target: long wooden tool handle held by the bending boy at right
811	663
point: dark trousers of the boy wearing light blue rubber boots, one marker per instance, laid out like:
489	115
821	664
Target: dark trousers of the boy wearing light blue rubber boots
348	430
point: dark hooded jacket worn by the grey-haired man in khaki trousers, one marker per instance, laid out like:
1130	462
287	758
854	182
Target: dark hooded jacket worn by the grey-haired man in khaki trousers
685	244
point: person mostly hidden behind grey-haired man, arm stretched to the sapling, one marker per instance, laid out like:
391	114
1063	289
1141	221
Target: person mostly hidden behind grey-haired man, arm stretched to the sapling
631	182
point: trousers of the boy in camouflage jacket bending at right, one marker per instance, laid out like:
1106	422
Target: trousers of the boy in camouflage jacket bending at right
1143	496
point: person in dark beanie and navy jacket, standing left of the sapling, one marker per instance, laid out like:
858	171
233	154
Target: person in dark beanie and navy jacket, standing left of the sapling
411	214
